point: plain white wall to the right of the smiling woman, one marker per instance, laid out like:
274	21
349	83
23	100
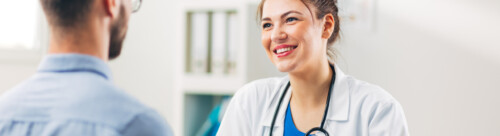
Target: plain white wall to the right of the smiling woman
439	58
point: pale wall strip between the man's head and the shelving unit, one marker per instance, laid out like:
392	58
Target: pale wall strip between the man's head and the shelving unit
145	68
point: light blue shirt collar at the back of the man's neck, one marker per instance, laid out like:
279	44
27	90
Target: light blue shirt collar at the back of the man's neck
73	63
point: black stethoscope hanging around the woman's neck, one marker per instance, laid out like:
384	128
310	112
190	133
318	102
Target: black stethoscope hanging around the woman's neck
319	129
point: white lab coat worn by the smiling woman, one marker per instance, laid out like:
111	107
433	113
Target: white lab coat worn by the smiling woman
357	108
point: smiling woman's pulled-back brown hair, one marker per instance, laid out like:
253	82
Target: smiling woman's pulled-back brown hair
323	7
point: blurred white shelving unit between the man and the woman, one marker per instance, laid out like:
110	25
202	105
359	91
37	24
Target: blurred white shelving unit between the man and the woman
197	93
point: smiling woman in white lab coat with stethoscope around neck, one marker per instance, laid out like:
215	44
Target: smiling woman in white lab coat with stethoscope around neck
316	97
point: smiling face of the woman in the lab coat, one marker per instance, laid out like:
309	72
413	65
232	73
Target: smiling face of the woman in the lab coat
291	35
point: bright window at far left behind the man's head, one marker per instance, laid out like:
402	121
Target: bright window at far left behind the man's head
23	29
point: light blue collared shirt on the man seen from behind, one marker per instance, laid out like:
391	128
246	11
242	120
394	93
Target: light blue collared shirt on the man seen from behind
72	95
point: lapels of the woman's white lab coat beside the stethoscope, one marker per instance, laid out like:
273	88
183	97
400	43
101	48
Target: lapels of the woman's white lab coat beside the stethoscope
339	103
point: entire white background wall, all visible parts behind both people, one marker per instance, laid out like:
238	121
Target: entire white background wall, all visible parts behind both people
439	58
